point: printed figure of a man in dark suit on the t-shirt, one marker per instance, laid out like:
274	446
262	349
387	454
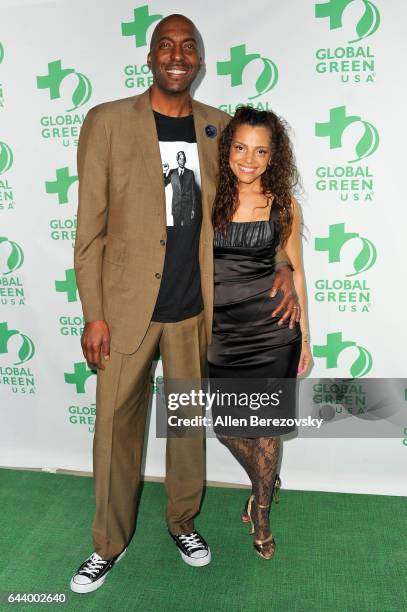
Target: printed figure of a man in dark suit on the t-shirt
185	191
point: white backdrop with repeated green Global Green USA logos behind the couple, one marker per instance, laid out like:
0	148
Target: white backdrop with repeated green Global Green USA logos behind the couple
334	70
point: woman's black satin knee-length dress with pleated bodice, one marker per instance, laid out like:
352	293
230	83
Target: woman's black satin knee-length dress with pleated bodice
247	343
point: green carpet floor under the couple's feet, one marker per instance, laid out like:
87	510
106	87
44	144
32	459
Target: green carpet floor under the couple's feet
334	551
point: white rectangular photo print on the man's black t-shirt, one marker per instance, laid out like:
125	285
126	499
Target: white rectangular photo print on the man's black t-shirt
182	182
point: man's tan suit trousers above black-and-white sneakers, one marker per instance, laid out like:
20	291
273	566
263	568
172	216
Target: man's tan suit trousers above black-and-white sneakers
122	400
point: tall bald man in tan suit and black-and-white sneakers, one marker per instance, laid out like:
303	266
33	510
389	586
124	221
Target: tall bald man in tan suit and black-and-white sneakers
145	282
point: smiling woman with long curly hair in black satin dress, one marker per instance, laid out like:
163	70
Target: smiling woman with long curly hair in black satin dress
254	215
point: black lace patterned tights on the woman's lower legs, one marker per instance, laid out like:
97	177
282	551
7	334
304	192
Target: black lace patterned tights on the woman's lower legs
259	457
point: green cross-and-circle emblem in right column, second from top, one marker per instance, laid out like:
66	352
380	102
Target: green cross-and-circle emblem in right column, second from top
339	122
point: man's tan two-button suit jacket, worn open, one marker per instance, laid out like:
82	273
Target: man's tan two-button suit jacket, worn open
121	229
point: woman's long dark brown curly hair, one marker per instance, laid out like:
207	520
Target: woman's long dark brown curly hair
279	179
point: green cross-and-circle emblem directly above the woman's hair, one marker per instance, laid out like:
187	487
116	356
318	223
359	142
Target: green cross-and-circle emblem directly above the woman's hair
239	60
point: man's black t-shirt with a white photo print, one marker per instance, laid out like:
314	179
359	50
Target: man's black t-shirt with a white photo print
180	294
